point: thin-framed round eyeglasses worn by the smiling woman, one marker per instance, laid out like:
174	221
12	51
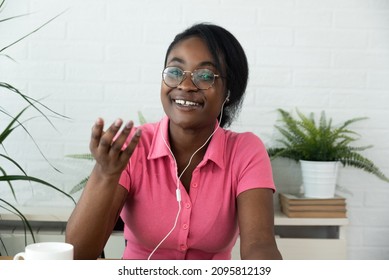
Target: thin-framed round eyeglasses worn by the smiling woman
201	78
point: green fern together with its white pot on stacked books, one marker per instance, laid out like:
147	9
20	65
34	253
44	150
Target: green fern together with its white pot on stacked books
320	147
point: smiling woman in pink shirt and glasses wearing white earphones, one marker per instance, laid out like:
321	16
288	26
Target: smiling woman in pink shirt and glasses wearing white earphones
184	187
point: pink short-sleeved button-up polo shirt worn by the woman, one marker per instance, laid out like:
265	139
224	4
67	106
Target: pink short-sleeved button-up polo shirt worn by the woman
207	226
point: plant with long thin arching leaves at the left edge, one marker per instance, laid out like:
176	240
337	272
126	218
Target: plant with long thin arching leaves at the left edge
10	123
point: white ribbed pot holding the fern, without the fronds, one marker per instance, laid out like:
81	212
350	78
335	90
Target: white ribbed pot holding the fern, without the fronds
319	178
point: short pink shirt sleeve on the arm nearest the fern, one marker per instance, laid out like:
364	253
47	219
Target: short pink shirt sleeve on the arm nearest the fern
254	166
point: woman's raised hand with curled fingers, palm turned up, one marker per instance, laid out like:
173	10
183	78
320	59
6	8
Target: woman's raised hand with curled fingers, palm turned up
107	146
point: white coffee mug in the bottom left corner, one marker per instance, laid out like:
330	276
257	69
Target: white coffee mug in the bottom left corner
46	251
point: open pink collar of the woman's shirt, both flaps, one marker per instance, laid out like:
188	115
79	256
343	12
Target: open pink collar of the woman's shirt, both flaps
215	152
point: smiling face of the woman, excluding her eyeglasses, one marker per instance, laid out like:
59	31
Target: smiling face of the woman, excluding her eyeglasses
187	106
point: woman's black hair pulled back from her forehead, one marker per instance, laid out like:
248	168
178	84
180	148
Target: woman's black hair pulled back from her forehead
223	46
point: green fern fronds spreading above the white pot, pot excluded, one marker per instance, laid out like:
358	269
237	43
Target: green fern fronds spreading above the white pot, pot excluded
304	138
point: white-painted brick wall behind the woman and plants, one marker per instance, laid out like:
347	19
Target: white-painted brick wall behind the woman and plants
103	58
